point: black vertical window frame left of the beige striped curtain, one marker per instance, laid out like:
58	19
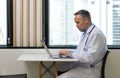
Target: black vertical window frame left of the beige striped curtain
9	23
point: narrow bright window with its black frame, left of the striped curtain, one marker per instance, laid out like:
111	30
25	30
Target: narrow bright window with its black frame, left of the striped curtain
5	22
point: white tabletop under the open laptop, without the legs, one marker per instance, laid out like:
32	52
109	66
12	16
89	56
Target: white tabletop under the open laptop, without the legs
44	58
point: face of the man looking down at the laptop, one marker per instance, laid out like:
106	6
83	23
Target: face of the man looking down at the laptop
81	23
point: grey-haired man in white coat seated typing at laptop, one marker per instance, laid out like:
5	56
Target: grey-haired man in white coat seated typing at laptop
90	50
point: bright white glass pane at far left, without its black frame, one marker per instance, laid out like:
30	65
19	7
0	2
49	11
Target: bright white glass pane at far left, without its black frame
3	24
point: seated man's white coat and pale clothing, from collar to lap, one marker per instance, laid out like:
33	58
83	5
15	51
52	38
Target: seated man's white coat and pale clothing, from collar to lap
91	48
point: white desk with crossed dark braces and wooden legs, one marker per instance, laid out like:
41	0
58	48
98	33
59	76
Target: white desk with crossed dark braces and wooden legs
43	58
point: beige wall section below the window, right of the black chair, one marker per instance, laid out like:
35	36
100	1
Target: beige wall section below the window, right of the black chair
112	67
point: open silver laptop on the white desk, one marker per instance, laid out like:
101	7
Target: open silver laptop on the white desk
53	56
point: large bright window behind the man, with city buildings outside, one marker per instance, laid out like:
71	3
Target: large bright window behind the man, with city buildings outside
60	28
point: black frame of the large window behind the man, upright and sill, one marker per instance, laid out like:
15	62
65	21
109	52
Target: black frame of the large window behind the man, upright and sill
46	29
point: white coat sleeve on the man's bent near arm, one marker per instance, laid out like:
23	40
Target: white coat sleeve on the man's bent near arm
92	50
